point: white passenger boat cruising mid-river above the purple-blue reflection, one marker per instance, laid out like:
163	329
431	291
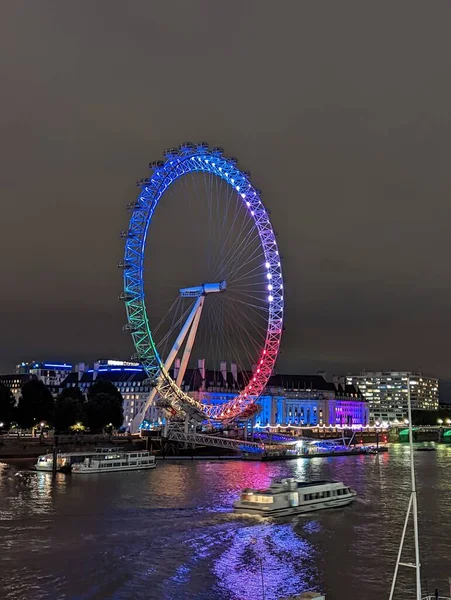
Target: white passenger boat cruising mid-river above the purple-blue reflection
291	497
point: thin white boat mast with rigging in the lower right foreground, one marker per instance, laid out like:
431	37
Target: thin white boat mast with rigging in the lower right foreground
412	508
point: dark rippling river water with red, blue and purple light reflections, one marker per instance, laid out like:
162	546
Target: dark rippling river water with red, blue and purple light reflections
168	533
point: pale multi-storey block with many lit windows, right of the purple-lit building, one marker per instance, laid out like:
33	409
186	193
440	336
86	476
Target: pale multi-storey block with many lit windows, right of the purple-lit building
387	393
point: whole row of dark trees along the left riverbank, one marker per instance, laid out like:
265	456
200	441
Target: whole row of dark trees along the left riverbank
101	408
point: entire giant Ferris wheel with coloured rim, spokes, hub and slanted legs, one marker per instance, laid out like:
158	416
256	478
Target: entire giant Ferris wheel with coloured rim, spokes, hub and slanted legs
211	289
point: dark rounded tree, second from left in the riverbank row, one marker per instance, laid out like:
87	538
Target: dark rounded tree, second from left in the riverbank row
36	404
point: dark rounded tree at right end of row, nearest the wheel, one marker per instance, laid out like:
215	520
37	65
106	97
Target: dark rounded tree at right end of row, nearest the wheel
104	406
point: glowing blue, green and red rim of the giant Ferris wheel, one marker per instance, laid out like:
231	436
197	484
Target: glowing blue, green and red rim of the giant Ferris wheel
191	158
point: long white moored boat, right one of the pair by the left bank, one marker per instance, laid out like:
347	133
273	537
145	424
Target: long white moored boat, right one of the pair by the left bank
115	461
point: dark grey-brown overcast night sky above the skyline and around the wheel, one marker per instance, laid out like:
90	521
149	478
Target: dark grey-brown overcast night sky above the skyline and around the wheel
341	111
